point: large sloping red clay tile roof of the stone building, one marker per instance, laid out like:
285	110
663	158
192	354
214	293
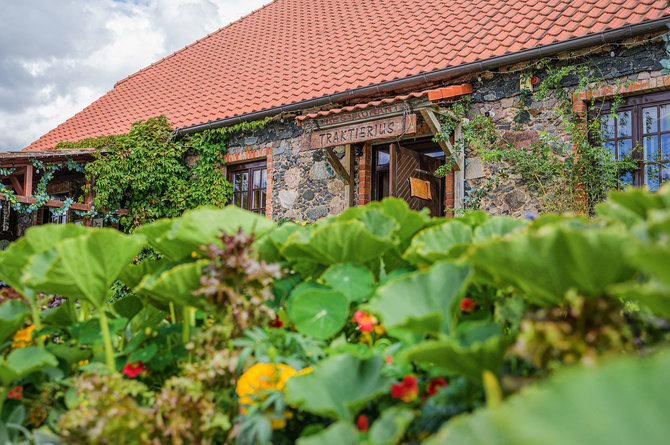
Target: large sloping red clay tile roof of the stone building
294	50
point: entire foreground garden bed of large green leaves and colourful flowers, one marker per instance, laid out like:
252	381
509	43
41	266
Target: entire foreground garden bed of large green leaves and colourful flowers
378	326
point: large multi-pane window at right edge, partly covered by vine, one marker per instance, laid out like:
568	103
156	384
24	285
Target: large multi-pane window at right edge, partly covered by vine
642	121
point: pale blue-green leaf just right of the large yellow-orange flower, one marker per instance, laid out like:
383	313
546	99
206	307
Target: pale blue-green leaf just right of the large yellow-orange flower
338	387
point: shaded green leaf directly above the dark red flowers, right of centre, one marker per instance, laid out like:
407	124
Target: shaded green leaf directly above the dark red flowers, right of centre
469	361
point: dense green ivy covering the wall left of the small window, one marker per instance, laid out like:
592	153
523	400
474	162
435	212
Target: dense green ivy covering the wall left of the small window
153	175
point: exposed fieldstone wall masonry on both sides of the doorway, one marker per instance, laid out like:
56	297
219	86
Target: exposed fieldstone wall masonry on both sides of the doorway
306	187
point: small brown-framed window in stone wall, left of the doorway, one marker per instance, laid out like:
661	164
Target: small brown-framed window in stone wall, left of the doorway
249	185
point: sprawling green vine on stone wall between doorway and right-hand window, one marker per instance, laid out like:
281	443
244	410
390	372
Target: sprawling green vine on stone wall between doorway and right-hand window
569	173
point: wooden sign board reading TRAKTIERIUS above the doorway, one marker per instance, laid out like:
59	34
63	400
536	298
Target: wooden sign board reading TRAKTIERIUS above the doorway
369	131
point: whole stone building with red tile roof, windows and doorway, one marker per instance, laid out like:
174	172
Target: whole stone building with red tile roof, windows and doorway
355	89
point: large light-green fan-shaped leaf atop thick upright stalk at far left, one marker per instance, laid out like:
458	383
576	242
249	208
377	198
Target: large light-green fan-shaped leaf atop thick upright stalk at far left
84	266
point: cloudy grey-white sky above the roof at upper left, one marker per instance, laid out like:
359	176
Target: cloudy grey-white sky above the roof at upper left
58	56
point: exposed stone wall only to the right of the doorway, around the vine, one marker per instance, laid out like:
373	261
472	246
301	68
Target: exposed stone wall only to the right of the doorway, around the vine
497	94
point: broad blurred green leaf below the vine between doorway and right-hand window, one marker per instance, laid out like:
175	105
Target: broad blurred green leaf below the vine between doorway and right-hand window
546	264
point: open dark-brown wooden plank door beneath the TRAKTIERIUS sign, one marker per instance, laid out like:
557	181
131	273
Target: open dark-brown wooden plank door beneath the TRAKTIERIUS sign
407	164
